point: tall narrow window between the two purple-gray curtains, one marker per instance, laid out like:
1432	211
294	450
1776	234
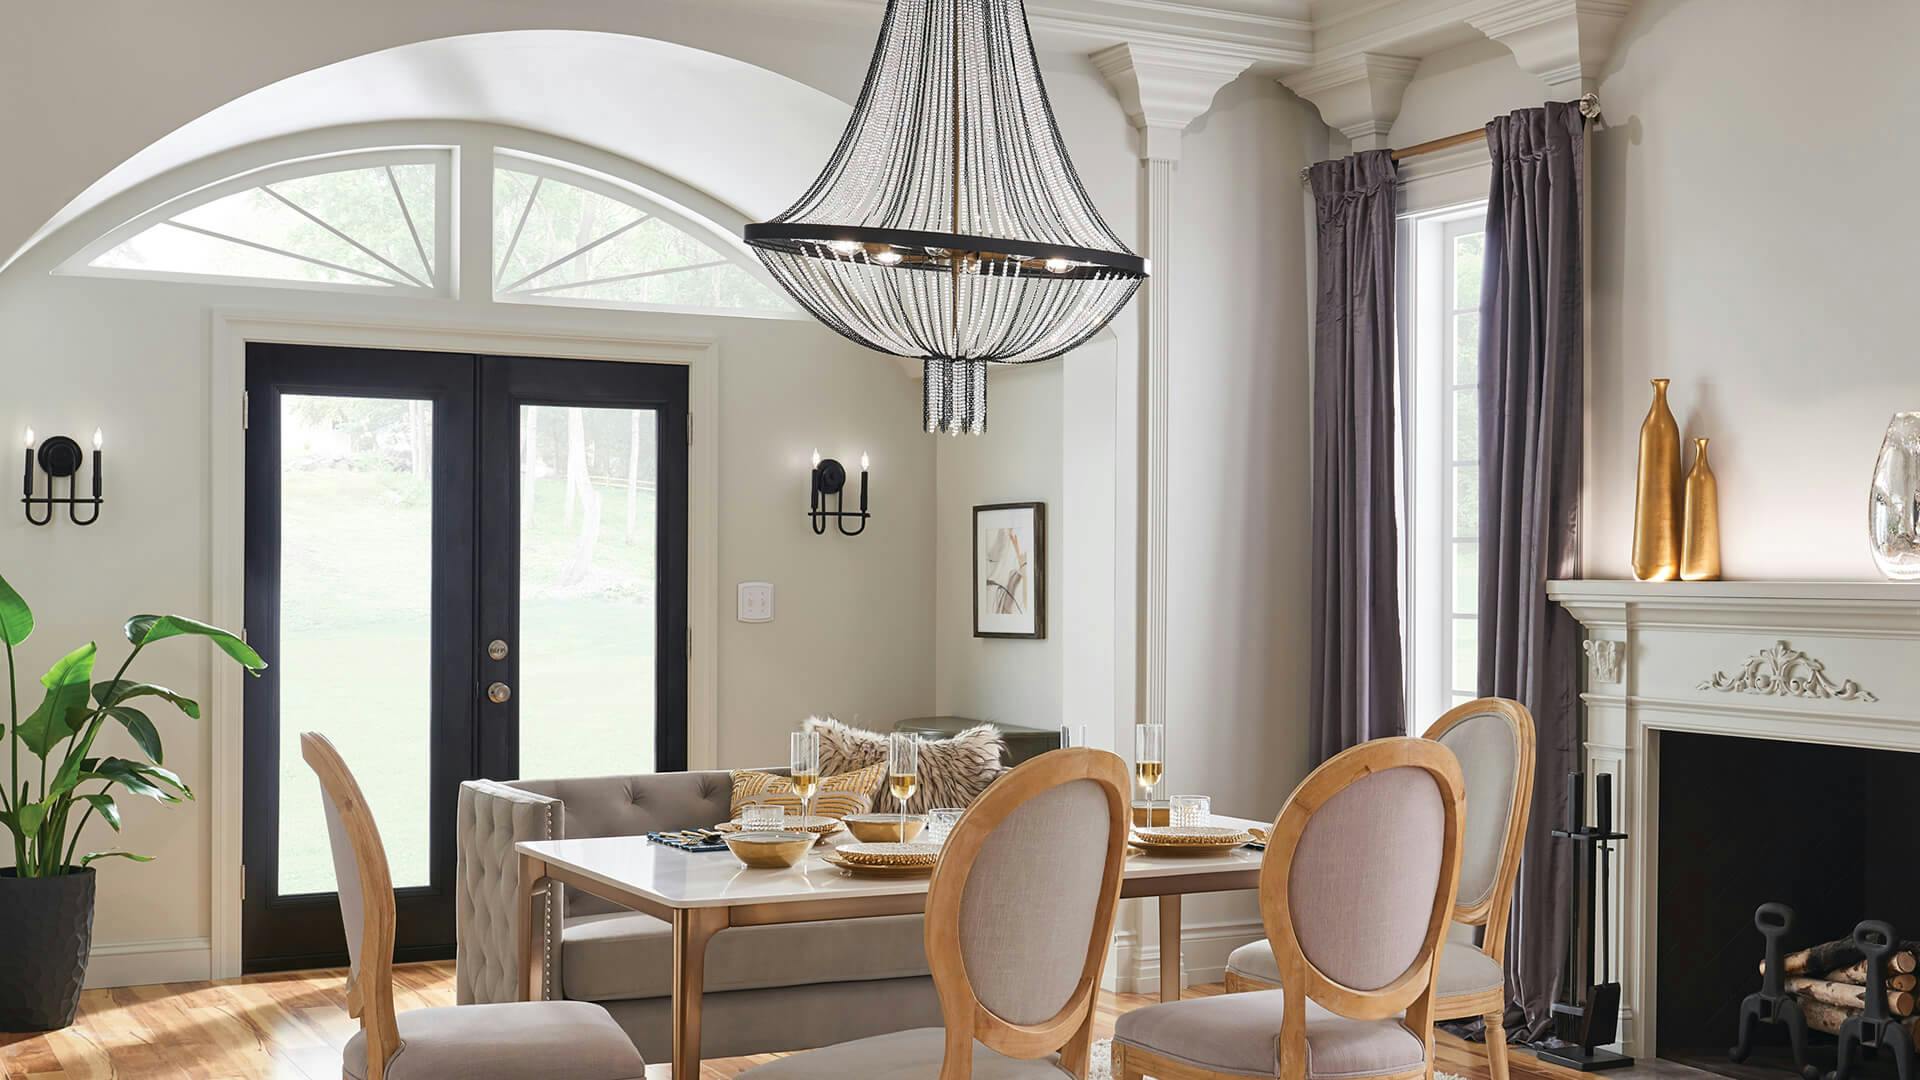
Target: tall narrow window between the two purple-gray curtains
1443	453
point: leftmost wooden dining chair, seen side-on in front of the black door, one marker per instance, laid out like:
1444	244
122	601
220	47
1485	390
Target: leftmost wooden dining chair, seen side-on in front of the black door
556	1041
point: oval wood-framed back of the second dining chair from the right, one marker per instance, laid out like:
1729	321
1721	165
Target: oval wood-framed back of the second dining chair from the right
1358	887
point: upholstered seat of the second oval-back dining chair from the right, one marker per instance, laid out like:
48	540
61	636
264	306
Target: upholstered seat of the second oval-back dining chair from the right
1241	1033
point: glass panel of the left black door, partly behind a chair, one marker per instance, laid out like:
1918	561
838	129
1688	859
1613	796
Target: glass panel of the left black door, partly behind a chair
356	635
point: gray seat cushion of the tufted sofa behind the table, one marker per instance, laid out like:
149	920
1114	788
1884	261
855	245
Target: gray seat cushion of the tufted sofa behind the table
627	956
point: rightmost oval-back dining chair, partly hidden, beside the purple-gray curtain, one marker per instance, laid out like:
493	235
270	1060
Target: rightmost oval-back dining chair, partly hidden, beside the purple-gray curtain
1495	743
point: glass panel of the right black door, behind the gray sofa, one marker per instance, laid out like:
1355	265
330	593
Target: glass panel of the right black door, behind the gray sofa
588	587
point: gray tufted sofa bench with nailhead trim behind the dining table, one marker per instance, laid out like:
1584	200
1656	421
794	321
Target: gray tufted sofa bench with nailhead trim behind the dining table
769	989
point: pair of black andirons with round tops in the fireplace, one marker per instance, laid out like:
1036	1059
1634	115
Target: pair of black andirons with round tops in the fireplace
1863	1035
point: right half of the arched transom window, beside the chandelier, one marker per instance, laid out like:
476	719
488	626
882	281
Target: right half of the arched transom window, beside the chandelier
562	235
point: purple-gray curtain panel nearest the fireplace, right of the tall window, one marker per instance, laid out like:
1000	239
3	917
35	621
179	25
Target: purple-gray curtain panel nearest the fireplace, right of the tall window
1531	418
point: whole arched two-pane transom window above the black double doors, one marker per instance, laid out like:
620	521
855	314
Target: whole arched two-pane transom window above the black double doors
383	220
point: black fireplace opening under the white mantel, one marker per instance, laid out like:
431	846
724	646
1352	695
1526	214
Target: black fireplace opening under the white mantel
1829	831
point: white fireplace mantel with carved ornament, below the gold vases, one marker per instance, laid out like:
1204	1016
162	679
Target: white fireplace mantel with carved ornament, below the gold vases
1788	660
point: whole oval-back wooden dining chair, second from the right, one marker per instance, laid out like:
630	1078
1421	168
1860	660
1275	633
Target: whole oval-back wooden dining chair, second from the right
1355	893
